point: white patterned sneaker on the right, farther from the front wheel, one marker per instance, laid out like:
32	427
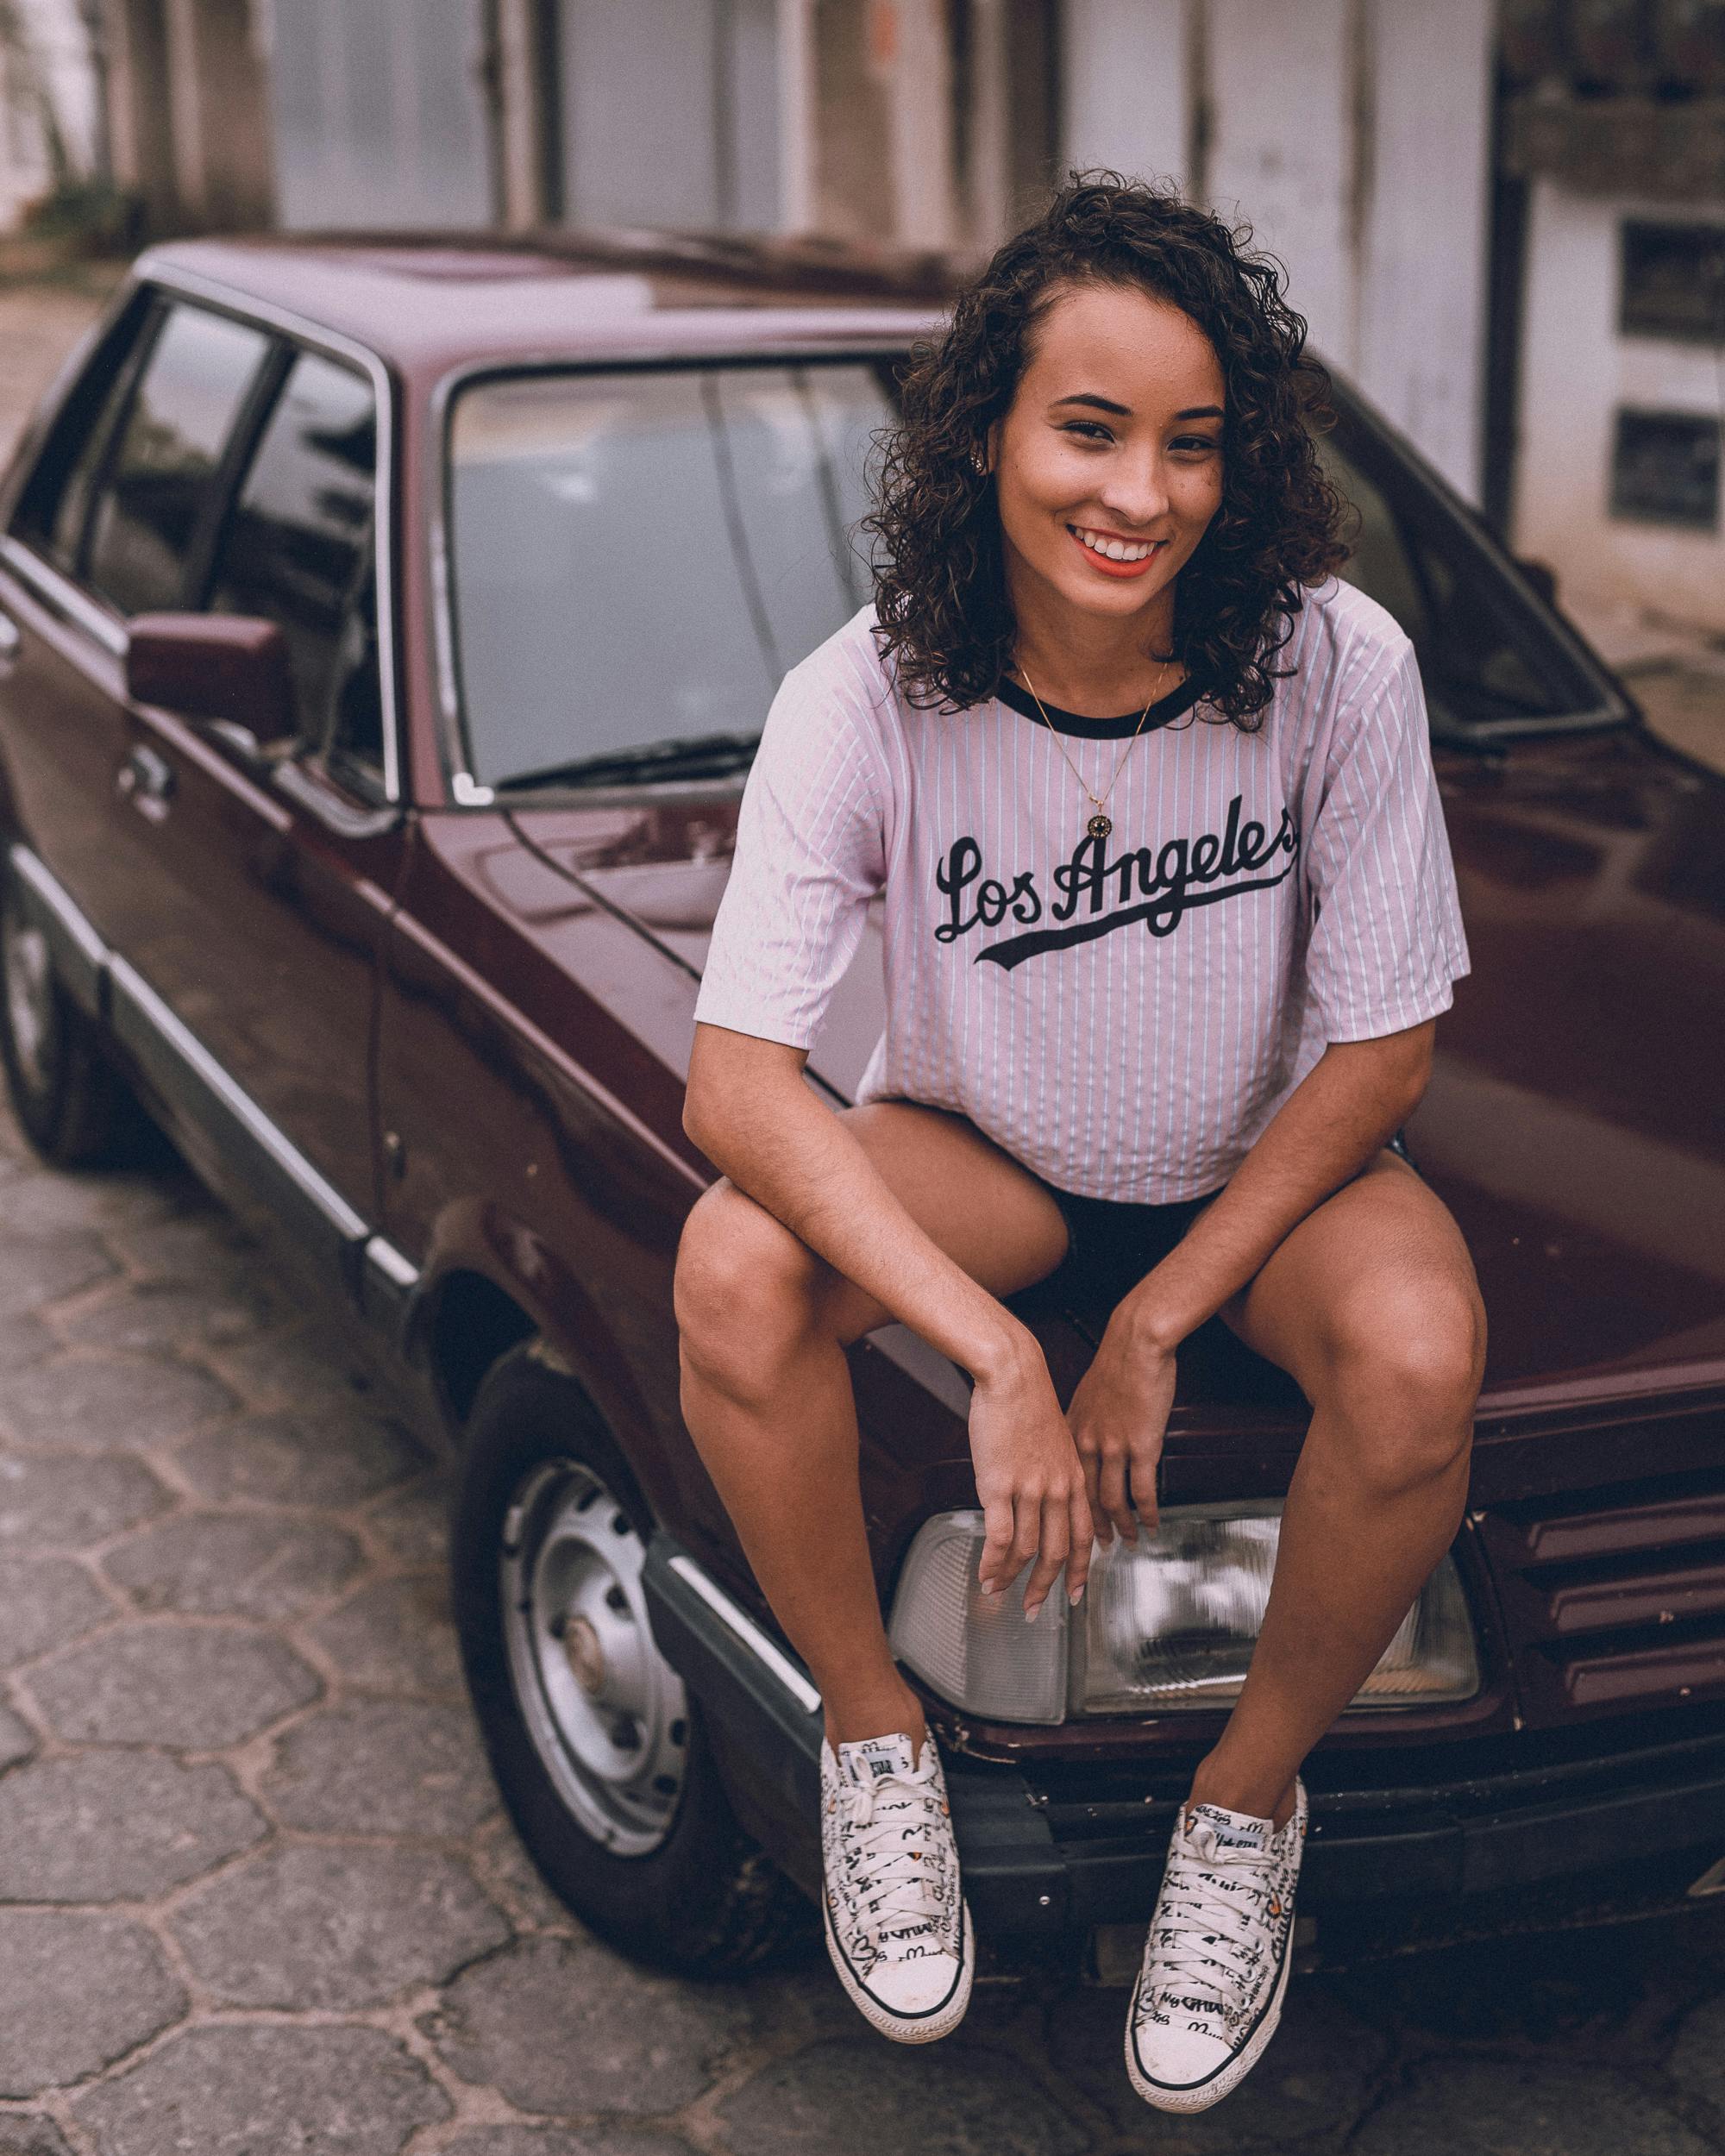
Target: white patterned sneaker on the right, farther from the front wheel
1217	1959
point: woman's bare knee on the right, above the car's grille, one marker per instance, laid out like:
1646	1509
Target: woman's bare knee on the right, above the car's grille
1403	1370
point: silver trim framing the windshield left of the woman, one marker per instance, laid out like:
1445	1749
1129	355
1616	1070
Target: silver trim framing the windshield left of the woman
460	784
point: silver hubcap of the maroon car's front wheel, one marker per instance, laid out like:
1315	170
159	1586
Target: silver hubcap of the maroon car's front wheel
605	1709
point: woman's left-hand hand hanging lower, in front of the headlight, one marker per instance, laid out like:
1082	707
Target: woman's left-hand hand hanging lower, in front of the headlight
1030	1482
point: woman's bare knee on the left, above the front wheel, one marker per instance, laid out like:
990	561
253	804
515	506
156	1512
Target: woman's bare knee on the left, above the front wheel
745	1293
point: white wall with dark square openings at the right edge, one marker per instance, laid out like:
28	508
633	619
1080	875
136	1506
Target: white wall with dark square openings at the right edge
1575	376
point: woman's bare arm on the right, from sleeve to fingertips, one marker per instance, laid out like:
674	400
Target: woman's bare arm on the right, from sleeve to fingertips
1323	1135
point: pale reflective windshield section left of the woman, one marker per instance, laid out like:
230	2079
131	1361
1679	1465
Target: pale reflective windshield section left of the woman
639	557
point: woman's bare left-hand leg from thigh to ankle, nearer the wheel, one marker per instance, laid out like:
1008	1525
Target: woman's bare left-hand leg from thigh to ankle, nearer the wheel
769	1398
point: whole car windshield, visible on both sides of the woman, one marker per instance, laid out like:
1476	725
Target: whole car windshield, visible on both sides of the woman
639	557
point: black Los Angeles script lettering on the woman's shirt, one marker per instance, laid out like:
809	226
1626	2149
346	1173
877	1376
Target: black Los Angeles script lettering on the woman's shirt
1161	879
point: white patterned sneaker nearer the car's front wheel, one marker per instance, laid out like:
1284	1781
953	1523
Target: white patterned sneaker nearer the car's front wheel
898	1926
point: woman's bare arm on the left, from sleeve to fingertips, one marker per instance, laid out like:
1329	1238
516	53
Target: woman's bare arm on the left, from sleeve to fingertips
754	1118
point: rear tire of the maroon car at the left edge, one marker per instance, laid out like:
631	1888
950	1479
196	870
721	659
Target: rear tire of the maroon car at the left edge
70	1101
